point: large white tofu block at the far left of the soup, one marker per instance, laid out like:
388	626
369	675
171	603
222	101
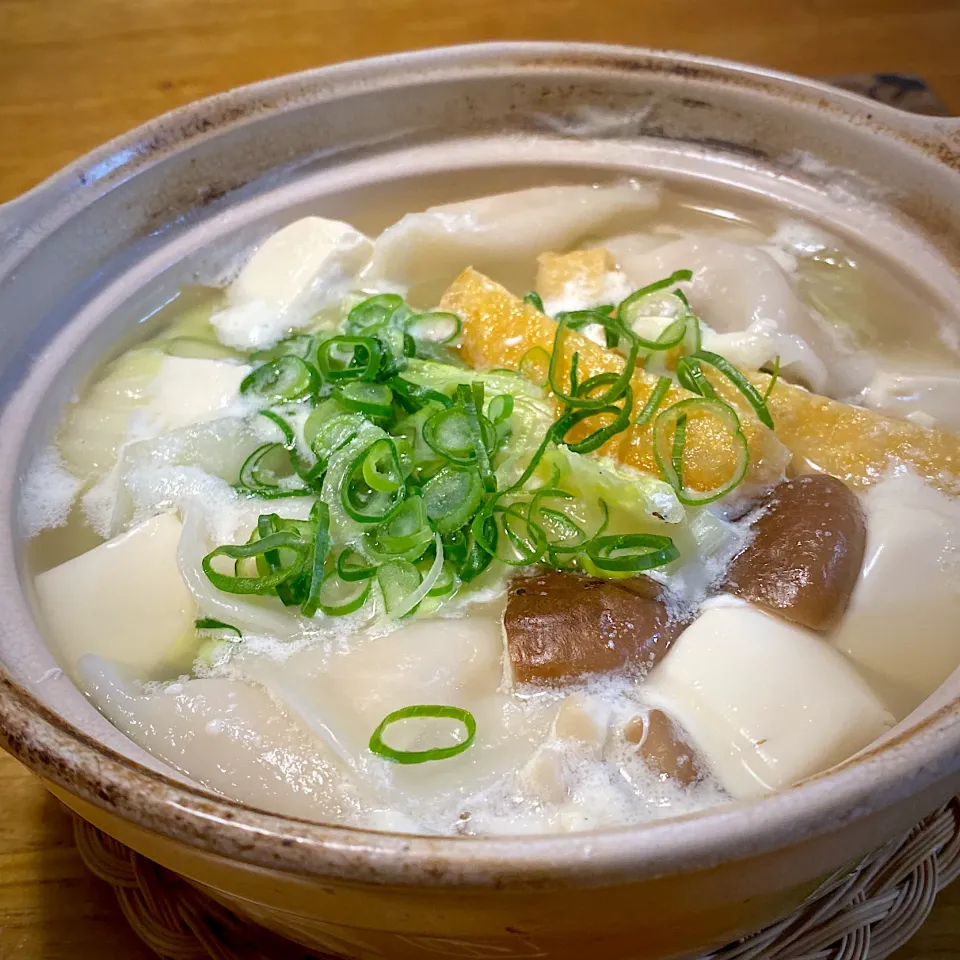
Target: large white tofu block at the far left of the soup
124	600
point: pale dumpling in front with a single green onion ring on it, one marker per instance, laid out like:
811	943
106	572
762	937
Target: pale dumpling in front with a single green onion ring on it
456	662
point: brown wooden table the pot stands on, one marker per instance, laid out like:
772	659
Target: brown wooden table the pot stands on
74	73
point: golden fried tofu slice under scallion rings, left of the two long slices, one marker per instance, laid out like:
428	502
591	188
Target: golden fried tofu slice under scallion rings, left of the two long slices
498	329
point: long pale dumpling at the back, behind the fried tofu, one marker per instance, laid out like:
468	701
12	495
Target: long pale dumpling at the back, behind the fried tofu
501	235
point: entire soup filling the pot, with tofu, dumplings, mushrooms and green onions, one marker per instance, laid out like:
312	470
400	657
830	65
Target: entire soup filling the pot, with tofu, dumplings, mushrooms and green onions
384	535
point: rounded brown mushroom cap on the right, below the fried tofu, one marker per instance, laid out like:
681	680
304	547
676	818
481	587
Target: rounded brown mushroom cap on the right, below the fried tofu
806	553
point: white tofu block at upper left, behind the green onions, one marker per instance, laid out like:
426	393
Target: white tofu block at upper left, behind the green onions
302	268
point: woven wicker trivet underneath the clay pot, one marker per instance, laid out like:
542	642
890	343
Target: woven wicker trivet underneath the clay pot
866	913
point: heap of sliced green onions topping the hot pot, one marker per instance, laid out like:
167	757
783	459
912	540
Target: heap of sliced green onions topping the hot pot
417	483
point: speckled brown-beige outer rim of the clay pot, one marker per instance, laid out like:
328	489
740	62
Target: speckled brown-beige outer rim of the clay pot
879	777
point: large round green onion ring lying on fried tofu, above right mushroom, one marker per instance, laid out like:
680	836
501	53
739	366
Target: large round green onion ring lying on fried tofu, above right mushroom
666	427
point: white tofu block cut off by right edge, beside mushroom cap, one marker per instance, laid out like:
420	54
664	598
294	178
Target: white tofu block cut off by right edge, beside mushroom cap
902	627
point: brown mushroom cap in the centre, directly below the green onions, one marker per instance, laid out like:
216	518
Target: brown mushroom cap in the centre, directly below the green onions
561	627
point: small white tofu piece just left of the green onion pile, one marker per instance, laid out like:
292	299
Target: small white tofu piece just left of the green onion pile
188	391
